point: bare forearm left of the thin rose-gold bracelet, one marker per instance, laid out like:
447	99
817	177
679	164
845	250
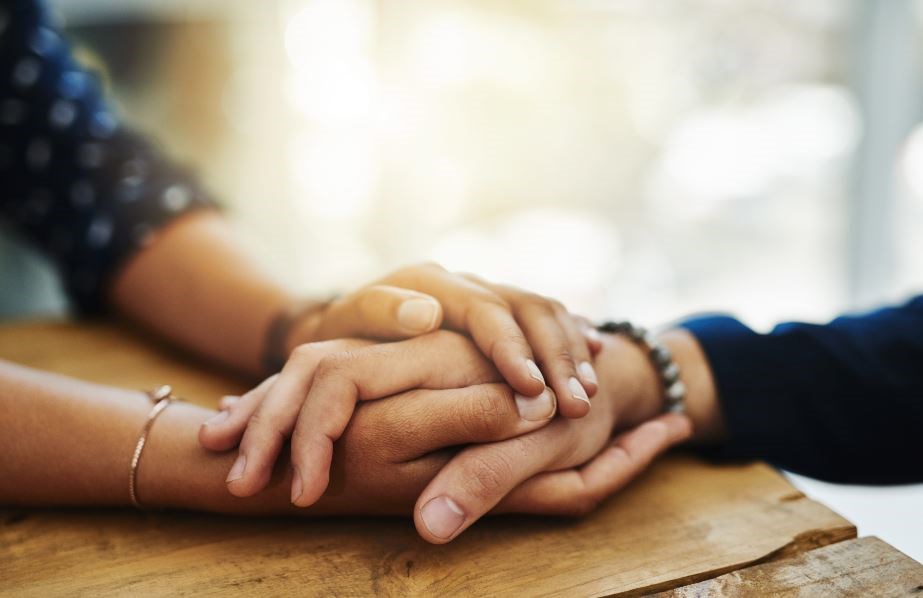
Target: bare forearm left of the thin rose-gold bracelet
65	442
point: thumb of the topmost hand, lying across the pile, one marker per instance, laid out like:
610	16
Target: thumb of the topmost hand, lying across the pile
382	312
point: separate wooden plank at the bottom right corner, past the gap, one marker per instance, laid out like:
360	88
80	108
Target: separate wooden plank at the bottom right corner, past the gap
863	567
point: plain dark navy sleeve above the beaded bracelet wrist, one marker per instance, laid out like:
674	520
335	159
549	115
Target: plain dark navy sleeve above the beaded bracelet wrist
841	402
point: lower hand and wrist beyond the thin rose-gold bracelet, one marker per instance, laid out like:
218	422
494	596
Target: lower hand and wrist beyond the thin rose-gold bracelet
390	450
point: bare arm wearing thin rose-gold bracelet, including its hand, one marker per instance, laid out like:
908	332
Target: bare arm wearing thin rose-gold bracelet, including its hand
69	443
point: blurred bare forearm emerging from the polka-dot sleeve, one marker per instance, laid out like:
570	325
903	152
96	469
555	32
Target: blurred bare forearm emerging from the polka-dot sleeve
195	286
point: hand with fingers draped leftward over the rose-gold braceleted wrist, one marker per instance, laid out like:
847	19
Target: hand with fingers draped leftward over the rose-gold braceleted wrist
314	397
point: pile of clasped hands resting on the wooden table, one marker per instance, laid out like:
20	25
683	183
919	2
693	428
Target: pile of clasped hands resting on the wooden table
456	421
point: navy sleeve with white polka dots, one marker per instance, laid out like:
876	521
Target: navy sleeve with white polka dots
73	181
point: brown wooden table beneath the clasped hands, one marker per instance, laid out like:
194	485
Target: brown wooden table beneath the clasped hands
689	527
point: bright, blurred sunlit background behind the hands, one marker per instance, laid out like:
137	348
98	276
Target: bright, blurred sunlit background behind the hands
639	158
